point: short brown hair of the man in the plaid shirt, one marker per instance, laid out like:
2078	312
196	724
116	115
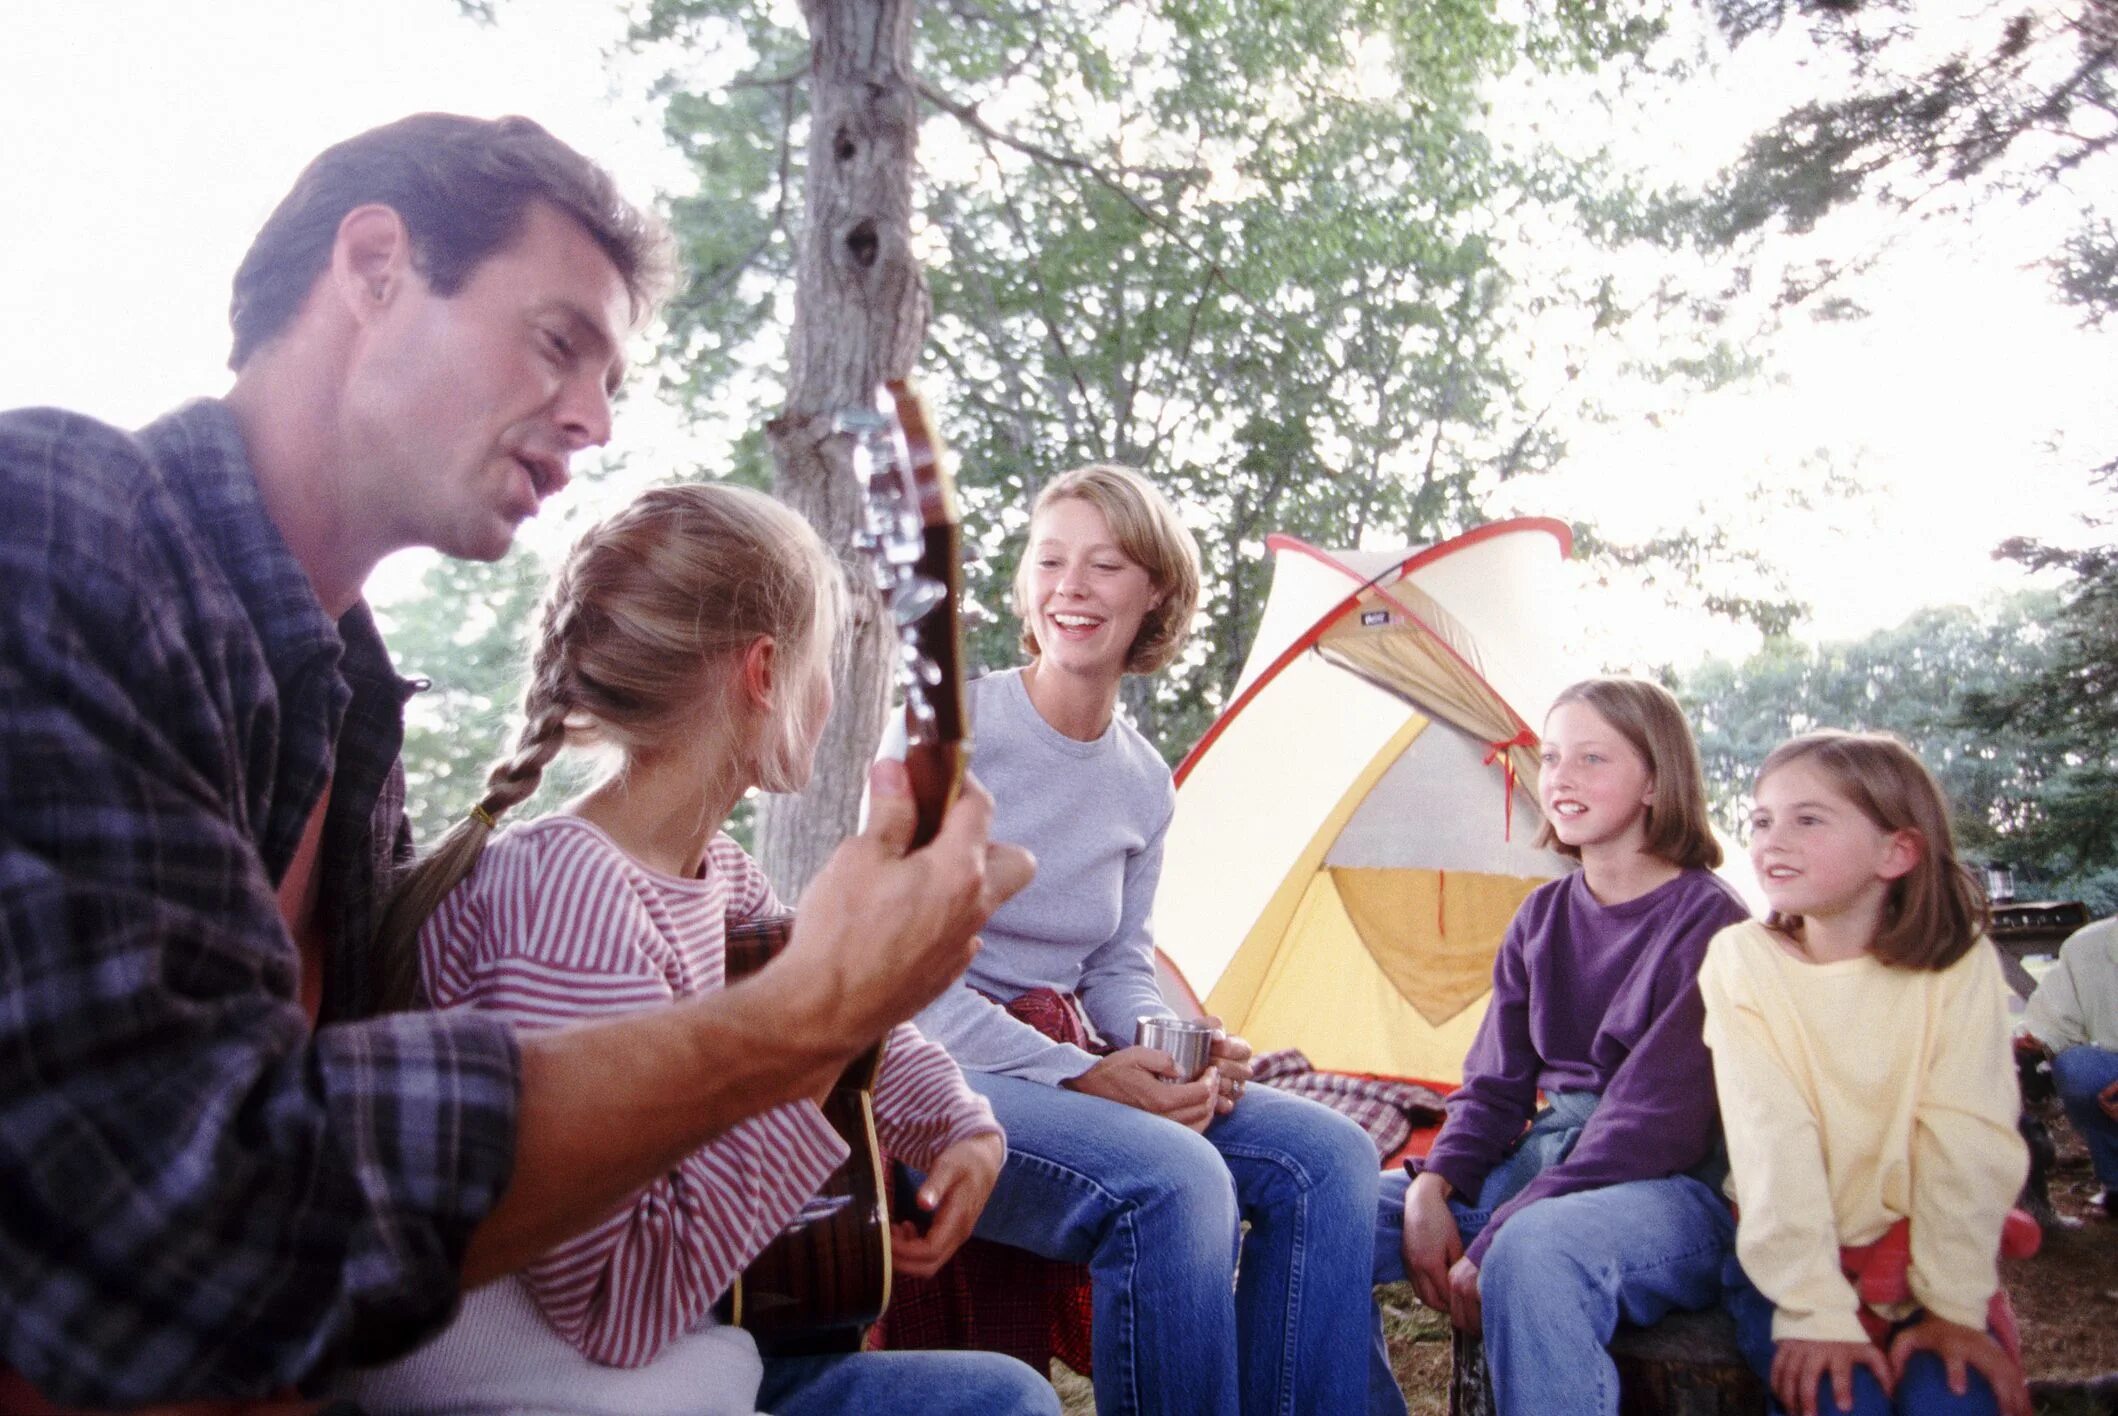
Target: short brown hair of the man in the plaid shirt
465	192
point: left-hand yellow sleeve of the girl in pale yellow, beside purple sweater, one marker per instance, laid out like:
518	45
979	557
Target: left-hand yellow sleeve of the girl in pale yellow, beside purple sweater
1789	1235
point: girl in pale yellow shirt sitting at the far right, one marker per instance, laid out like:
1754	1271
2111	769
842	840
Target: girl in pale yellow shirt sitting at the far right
1861	1049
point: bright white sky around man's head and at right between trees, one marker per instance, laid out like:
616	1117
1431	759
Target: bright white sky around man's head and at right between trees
145	141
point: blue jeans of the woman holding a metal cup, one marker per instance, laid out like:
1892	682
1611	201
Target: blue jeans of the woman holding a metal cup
1153	1210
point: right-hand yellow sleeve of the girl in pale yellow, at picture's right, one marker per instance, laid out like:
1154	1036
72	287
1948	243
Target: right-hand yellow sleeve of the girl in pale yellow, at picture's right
1969	1159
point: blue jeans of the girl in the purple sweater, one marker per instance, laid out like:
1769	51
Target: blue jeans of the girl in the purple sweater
1566	1271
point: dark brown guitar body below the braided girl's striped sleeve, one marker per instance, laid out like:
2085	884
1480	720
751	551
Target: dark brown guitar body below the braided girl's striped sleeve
827	1277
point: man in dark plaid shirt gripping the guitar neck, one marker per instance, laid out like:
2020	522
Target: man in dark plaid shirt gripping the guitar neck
228	1172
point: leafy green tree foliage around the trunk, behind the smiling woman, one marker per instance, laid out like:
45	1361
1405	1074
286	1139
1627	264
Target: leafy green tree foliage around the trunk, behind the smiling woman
1261	249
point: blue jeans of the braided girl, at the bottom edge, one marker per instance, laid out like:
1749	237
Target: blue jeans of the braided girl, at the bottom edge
905	1385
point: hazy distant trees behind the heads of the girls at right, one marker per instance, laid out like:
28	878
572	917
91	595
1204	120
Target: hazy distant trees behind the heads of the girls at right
2017	780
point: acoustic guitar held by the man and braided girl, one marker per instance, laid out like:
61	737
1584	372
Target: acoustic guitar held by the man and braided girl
825	1279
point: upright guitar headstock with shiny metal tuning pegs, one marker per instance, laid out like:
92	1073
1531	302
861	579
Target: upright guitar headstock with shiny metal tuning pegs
914	545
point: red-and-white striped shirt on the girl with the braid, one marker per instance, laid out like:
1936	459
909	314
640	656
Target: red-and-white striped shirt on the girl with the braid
556	924
